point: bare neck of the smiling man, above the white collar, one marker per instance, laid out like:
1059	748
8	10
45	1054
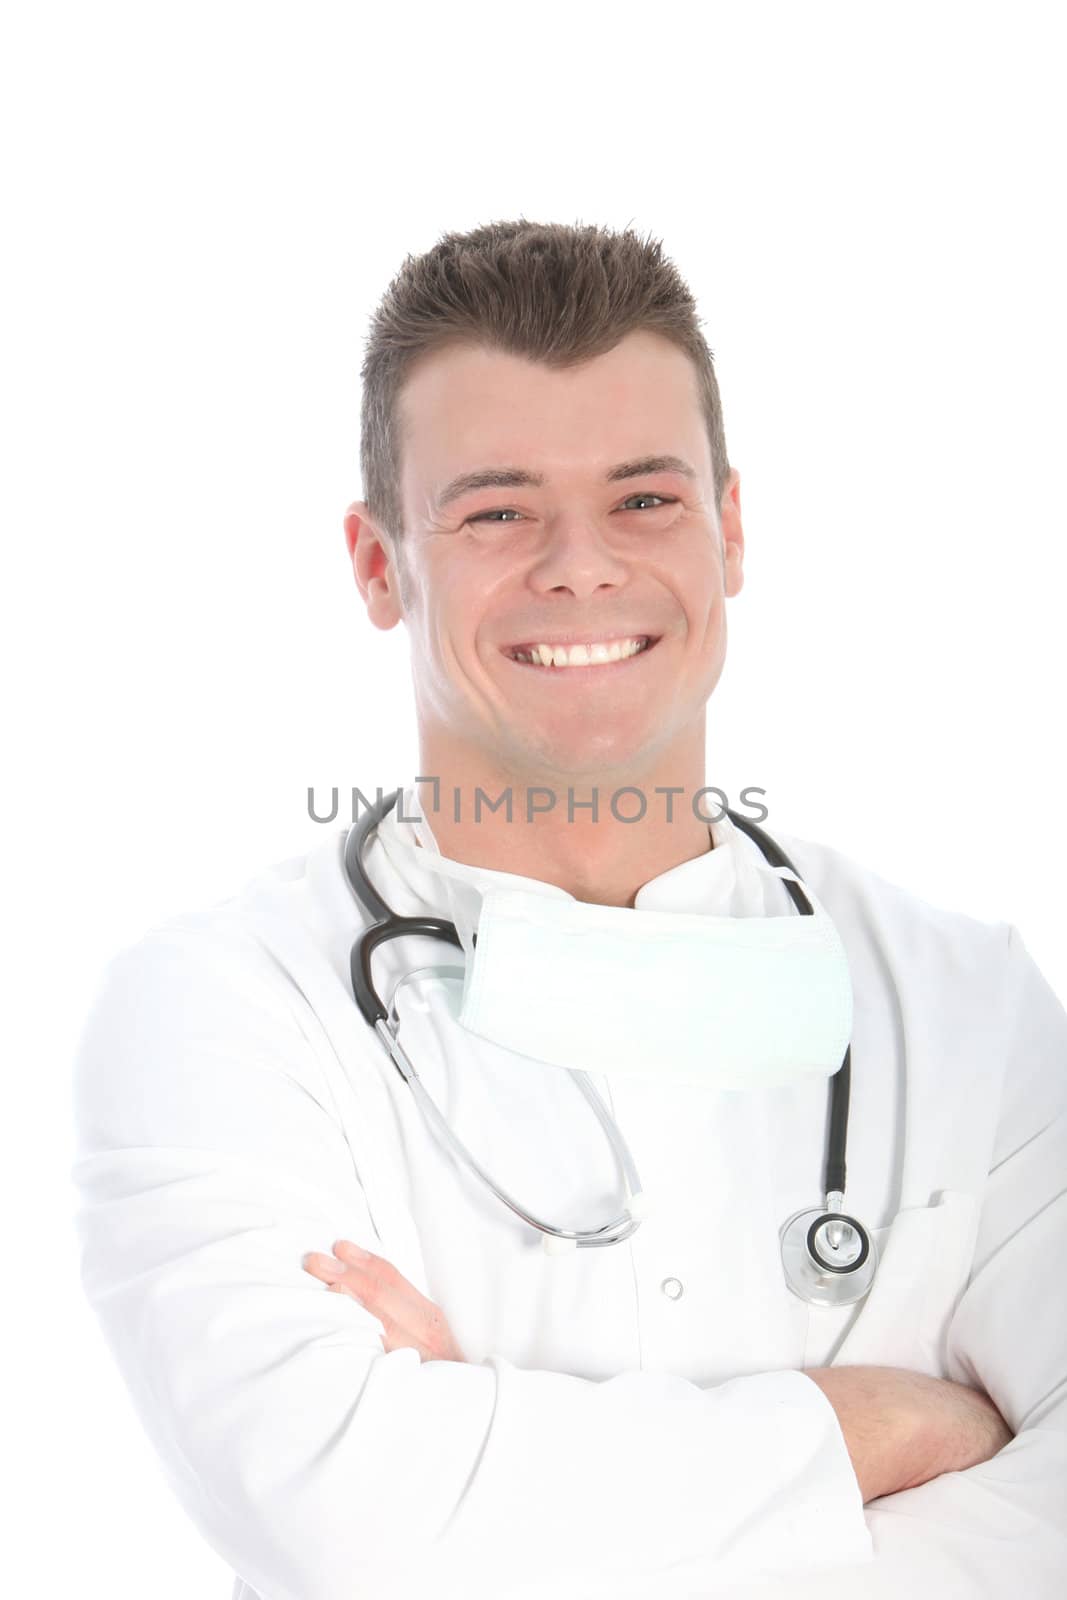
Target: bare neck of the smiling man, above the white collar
564	828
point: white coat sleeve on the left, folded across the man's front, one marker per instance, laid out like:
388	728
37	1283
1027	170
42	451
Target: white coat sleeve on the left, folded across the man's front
209	1161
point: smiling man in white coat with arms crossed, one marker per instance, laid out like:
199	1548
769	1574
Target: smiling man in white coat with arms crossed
462	1412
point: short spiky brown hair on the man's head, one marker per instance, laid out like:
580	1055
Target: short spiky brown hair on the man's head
551	292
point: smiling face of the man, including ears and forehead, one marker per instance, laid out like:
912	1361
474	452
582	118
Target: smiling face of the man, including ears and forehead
548	510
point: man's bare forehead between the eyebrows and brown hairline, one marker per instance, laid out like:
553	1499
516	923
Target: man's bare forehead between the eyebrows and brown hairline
466	409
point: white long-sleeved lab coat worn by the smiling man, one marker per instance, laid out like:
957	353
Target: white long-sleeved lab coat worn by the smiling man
631	1422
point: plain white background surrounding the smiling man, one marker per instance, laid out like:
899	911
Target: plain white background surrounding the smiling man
206	204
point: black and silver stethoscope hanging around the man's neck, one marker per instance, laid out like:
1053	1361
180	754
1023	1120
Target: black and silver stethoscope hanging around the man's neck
828	1257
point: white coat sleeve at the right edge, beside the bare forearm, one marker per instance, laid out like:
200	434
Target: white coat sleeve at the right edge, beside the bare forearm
999	1529
